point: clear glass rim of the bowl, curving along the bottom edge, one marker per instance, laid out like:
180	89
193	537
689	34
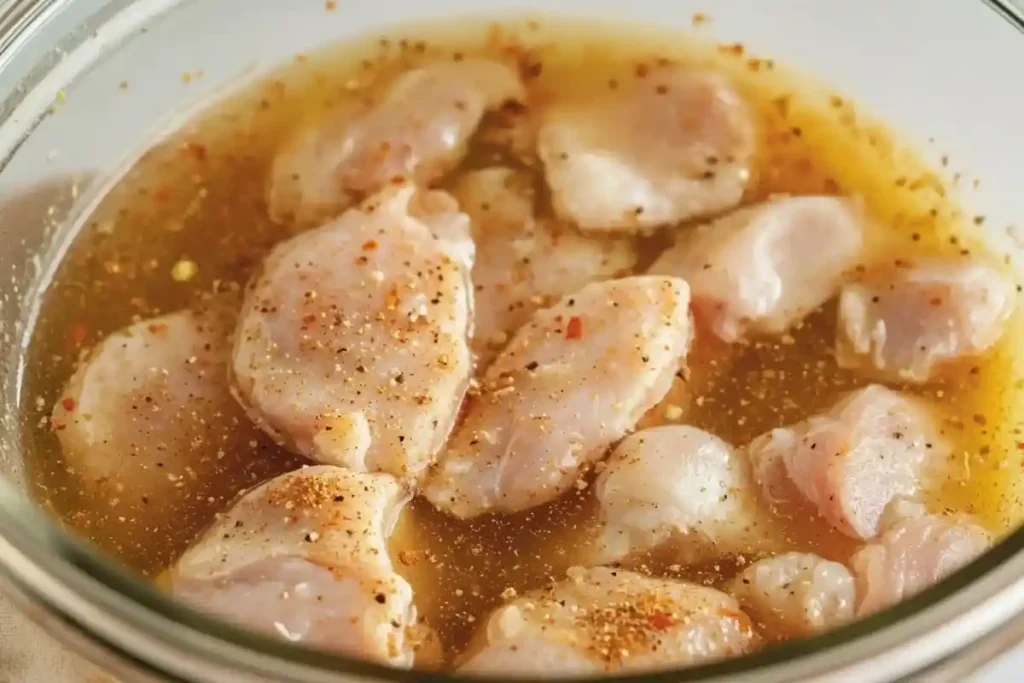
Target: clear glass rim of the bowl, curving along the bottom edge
124	622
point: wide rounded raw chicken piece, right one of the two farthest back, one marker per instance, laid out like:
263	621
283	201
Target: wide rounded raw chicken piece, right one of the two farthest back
675	146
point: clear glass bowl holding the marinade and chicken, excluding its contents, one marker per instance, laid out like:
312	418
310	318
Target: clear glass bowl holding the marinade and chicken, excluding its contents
942	74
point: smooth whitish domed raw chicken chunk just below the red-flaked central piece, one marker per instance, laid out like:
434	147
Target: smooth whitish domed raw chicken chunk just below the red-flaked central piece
679	486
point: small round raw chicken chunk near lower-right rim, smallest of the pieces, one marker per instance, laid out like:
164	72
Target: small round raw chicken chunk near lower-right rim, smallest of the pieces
797	593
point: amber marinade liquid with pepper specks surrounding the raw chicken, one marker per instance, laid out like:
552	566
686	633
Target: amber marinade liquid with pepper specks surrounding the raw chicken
199	196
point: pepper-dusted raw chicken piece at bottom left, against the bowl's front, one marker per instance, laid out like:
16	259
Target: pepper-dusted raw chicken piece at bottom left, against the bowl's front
305	557
